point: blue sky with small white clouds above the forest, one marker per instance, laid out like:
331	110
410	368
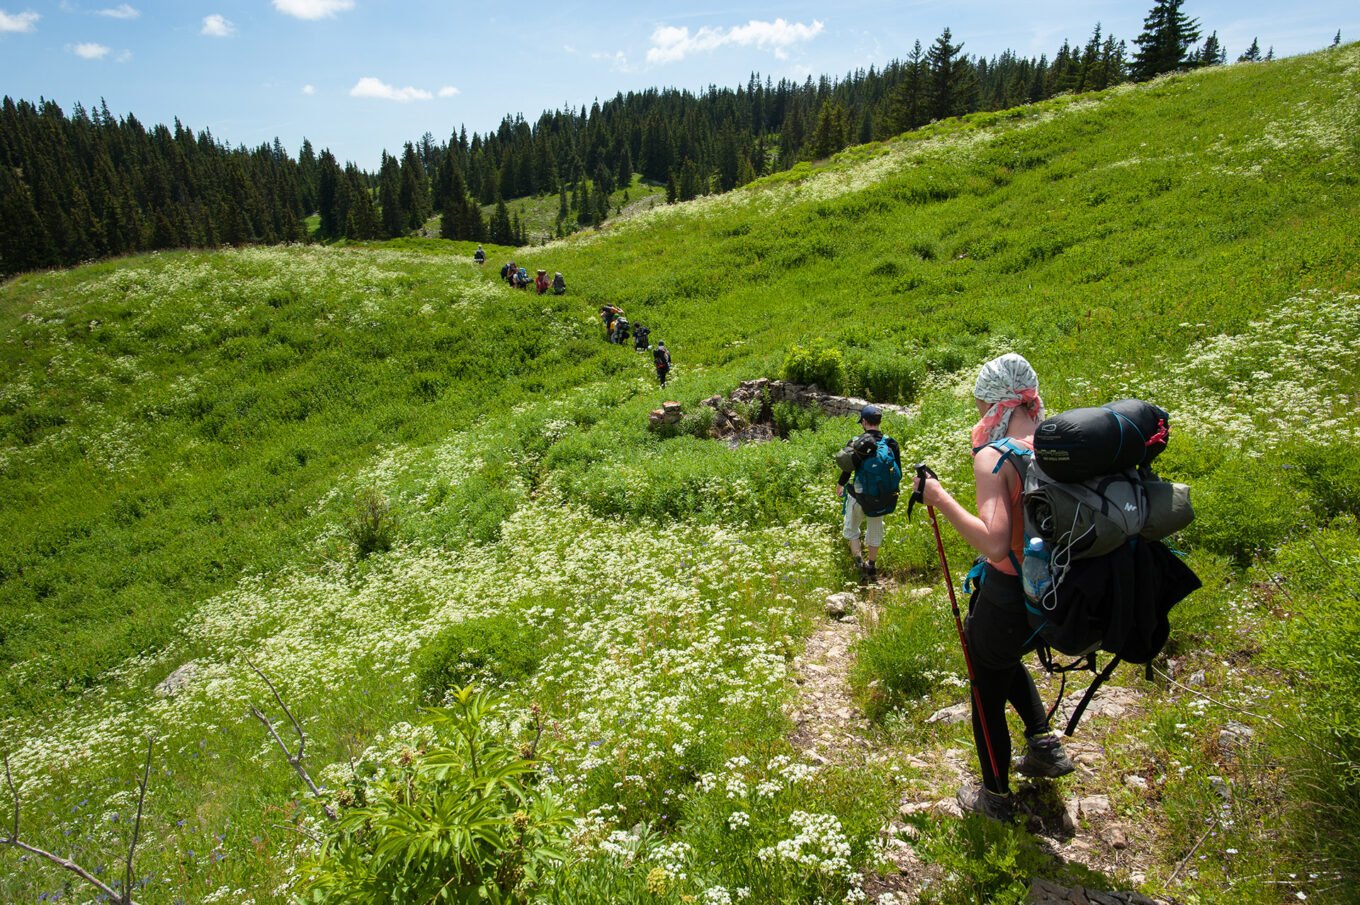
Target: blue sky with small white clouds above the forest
361	77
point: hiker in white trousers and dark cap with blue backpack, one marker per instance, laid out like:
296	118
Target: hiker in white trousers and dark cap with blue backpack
877	463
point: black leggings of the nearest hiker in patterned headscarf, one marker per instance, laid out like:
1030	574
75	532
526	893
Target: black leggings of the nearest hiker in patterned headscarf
999	636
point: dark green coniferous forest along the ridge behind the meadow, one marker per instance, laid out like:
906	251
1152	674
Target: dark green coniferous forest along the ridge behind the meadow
92	186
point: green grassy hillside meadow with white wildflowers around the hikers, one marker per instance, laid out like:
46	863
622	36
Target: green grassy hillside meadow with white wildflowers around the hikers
377	474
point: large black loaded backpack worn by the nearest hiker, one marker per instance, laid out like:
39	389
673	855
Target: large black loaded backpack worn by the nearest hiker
1094	571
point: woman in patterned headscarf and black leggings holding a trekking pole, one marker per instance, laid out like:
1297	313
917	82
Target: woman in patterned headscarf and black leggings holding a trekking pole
998	631
